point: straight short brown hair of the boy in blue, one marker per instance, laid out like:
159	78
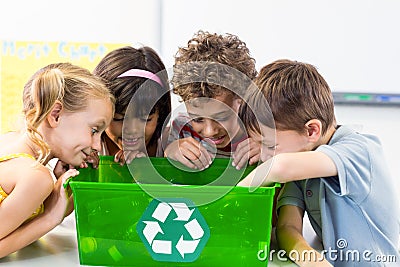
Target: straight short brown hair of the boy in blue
295	93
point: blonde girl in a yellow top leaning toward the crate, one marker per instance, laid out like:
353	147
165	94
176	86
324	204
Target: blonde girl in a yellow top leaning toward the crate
66	109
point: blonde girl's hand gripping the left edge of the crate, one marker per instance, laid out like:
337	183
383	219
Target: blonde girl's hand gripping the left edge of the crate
60	203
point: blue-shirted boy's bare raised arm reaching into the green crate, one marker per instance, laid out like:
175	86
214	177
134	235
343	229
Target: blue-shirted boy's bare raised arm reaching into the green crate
288	167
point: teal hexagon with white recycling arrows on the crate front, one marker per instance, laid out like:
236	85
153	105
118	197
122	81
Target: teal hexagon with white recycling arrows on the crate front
173	230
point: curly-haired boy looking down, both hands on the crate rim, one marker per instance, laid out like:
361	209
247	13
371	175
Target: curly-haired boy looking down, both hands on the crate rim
211	75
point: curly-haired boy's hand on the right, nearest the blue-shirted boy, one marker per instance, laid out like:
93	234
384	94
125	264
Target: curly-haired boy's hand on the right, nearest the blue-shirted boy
247	151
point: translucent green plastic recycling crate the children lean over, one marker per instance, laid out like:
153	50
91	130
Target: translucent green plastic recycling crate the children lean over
124	219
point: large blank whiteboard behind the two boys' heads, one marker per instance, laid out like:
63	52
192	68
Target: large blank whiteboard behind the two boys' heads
355	44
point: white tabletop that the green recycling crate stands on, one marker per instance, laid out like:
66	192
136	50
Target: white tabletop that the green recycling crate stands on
59	248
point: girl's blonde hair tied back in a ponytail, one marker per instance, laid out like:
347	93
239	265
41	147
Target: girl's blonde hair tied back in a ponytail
71	85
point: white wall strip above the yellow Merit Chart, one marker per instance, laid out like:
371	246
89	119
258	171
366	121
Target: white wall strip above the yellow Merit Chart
117	21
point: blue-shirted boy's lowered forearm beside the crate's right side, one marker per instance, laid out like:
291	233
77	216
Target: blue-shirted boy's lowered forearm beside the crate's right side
289	236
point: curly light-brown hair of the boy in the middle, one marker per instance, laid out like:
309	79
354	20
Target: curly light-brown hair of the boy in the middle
207	62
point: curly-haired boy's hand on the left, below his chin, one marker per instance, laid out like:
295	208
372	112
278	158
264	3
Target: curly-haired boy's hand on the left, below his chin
189	152
